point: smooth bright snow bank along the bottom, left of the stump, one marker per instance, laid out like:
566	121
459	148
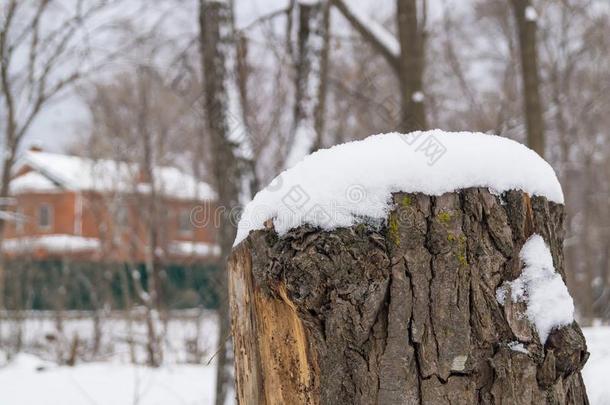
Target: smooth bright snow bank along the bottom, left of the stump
32	381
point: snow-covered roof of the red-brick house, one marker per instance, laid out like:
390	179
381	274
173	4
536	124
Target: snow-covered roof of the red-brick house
52	171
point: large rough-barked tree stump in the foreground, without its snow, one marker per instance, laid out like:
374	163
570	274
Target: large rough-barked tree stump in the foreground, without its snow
401	314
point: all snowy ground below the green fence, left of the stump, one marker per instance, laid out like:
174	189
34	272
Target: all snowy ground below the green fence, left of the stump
108	377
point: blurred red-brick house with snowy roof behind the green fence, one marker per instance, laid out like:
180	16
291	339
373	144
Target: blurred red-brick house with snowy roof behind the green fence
100	210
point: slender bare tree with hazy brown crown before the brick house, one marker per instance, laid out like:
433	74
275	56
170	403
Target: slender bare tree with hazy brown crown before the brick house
144	142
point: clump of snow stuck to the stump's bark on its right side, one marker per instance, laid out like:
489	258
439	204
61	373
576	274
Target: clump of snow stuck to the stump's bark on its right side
549	304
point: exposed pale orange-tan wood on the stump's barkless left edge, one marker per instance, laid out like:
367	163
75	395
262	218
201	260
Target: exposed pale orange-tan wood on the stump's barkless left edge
272	351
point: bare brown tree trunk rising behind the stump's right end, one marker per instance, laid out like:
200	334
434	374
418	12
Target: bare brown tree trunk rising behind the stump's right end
525	15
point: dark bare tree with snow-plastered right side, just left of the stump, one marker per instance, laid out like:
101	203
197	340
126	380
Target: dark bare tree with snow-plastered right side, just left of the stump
231	152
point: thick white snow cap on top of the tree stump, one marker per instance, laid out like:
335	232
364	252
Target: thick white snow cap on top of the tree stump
352	182
